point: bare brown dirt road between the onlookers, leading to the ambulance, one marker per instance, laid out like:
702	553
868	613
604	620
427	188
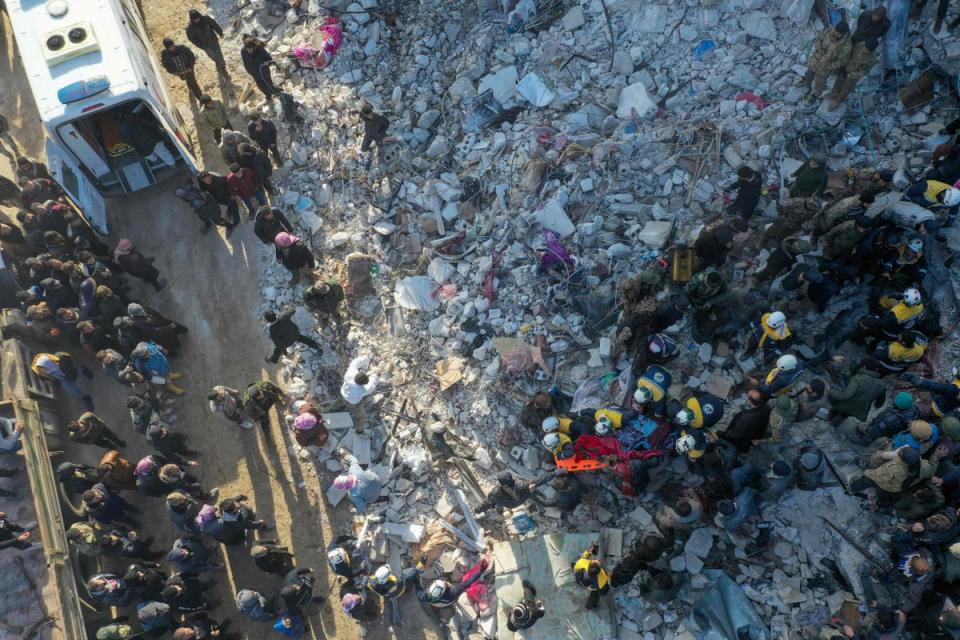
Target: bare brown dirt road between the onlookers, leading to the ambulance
213	289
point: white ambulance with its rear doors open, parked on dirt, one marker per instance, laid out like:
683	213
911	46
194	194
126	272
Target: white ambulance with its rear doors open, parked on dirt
97	86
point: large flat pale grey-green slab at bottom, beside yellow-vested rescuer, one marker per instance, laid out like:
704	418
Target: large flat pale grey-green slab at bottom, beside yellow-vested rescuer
547	566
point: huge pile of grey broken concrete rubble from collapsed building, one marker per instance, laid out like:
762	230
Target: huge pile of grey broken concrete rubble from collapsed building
527	174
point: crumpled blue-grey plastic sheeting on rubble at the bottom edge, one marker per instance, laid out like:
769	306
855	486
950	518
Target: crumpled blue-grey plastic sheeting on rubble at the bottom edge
723	612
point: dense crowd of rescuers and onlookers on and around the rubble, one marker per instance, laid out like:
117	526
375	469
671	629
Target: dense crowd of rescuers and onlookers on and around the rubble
856	258
